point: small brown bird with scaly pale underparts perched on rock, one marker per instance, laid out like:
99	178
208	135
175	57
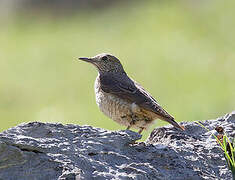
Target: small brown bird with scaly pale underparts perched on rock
122	99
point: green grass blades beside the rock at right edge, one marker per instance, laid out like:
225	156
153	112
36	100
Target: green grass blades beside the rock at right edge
228	148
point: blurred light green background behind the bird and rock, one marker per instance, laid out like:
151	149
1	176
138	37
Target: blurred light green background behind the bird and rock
182	52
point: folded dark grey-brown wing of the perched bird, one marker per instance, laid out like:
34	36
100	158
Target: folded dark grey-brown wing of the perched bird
123	87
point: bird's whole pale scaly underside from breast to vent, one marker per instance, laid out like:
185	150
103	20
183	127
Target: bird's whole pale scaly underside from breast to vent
123	112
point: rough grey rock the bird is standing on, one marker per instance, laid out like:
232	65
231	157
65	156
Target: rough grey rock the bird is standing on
41	151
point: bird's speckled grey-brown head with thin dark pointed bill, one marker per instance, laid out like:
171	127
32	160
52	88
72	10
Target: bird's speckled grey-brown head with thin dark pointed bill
105	63
